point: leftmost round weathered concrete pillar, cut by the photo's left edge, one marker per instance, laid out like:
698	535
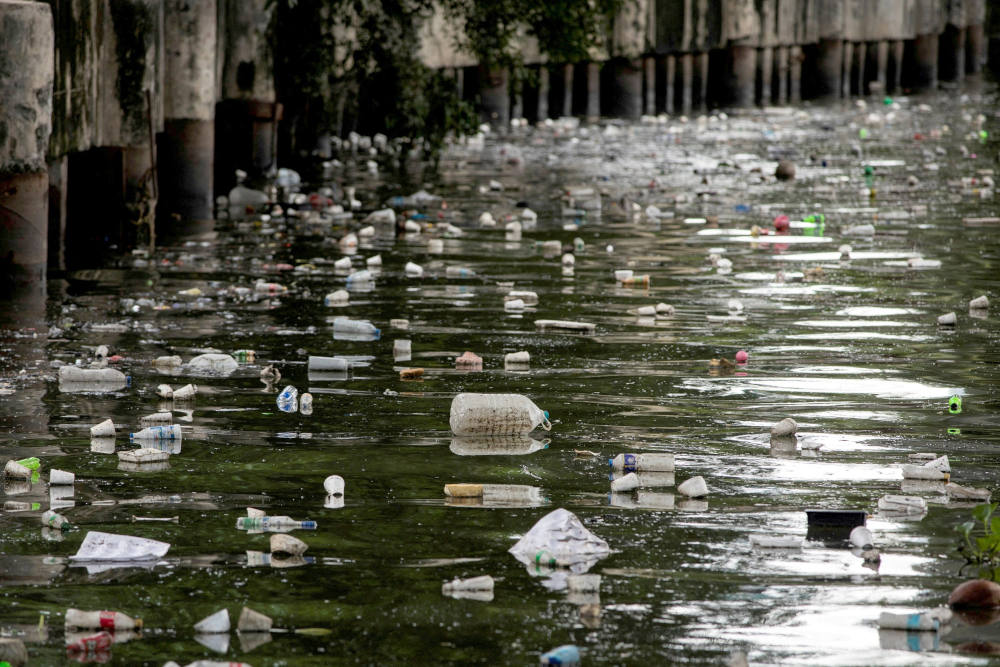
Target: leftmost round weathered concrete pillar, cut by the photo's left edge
27	70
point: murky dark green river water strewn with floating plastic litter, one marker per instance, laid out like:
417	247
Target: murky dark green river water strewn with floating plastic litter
844	341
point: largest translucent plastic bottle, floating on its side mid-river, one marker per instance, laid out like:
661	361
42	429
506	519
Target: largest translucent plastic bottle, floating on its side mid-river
496	414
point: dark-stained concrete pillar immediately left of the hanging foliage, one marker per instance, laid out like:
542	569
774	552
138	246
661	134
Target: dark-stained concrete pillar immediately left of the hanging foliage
248	115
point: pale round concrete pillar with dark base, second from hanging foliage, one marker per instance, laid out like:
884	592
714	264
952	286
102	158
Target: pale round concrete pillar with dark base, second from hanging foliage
187	146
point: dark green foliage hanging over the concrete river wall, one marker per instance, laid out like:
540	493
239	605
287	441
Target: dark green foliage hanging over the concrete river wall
343	65
